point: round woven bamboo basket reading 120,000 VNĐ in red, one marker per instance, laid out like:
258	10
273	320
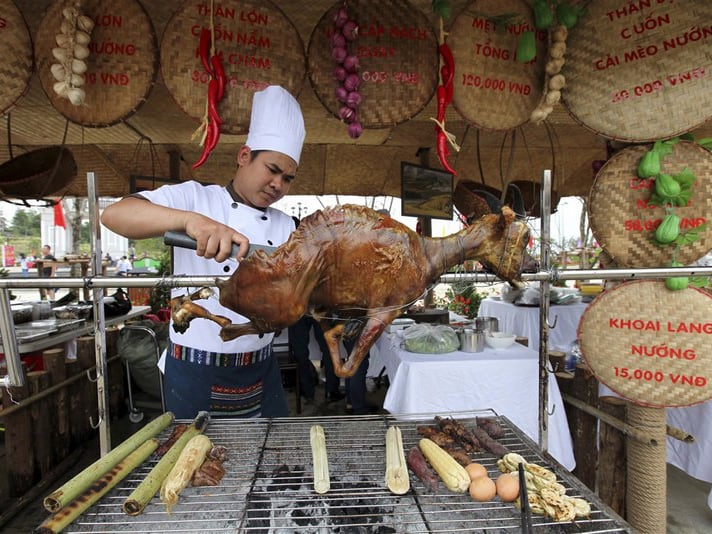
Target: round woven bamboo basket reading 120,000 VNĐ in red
492	90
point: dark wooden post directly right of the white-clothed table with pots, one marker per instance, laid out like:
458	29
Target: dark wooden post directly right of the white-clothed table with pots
583	426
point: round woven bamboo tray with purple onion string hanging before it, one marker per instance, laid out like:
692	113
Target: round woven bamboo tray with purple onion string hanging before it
398	60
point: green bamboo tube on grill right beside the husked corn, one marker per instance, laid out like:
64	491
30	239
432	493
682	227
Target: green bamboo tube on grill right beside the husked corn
142	495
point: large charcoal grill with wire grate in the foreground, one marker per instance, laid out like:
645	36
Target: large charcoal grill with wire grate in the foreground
267	486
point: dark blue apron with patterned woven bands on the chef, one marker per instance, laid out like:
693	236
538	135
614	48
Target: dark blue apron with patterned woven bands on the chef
241	385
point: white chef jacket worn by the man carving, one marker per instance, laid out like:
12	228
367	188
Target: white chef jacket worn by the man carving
263	227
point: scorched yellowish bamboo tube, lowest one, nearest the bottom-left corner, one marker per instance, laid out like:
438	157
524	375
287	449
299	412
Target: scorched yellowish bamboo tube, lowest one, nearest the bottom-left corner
98	489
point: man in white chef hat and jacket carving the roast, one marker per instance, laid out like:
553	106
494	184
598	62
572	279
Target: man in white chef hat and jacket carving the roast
237	378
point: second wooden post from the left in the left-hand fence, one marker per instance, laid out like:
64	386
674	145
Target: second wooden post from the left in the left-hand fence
40	412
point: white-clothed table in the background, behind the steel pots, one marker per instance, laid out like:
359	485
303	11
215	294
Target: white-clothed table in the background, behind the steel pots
524	321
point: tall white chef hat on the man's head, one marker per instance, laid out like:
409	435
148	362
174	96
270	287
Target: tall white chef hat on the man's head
276	123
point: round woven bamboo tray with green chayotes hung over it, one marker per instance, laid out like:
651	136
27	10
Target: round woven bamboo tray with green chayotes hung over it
624	223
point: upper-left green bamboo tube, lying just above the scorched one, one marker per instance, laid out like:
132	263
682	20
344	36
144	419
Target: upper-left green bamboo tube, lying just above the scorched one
77	485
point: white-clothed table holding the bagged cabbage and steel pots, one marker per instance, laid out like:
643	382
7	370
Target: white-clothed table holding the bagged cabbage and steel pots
504	380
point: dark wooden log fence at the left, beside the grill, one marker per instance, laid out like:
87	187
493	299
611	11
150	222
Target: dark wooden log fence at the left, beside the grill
50	416
